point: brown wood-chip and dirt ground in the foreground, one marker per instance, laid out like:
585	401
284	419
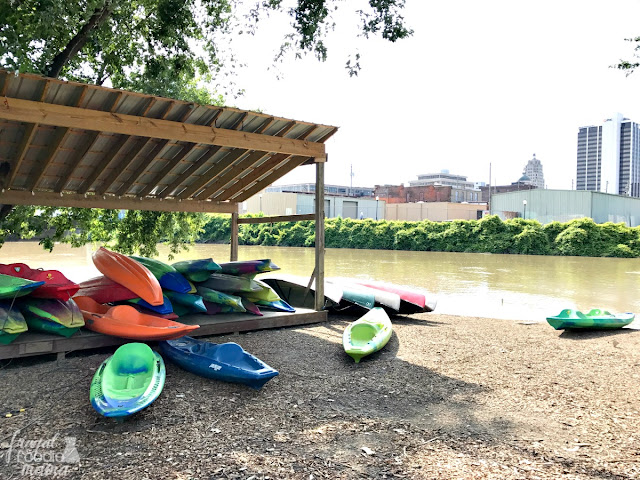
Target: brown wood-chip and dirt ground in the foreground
449	397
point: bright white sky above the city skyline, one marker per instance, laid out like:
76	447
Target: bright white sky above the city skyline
479	83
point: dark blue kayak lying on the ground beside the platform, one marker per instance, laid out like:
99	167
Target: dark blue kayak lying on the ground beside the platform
227	361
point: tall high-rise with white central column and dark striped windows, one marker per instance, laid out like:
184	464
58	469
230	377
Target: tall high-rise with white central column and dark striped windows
608	157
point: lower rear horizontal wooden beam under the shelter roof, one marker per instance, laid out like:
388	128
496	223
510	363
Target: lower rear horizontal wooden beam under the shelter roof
20	197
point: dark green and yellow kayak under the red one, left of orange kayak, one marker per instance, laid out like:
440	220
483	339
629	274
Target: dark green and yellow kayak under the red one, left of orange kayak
51	315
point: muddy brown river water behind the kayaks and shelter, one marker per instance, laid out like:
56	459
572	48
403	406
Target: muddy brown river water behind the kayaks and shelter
517	287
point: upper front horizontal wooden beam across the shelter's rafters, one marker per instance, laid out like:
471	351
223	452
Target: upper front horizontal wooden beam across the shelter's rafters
86	119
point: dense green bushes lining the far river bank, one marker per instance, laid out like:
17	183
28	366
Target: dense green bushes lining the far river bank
579	237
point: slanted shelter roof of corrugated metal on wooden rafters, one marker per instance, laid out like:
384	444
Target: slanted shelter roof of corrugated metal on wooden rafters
73	144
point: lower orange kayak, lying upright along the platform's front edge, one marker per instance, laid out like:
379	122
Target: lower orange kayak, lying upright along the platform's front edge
126	322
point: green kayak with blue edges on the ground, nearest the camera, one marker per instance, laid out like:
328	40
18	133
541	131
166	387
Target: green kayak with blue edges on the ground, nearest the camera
128	381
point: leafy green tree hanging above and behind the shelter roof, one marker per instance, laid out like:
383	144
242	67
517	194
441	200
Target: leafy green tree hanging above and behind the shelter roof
161	47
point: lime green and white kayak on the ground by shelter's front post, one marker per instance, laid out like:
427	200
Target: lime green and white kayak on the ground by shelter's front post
368	334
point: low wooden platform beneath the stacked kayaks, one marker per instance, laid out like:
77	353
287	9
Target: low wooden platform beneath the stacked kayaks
31	344
